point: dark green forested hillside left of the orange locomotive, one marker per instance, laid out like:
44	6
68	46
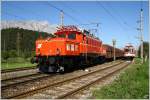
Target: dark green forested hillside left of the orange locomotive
22	40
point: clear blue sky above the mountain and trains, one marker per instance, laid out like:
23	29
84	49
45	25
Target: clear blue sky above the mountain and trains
117	19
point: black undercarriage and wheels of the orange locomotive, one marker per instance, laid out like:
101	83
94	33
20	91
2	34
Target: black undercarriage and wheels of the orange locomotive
63	64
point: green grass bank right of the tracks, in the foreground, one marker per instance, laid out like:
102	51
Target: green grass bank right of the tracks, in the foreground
133	84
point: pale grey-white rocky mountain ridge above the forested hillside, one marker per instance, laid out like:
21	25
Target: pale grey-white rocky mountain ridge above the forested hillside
42	26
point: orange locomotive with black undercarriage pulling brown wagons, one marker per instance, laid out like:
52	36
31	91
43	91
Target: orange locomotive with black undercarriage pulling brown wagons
70	48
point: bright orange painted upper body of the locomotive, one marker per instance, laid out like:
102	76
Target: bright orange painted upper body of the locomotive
64	46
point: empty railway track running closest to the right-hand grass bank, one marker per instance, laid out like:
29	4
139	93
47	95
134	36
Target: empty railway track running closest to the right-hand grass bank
67	88
